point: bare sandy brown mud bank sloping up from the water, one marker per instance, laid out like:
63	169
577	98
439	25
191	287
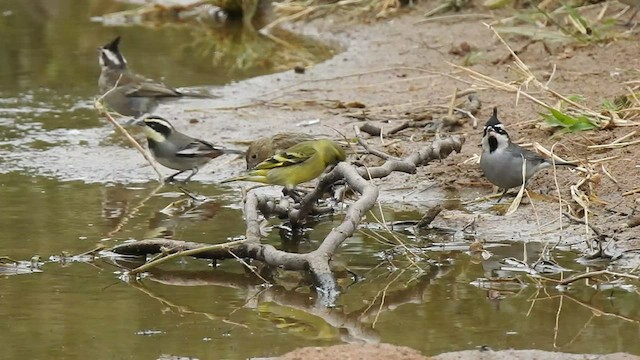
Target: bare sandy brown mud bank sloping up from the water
379	69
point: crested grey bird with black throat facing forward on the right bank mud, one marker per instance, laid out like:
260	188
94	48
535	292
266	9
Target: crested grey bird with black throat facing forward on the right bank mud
502	160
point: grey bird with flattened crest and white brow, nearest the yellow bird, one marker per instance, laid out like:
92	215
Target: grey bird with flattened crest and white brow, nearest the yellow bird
176	150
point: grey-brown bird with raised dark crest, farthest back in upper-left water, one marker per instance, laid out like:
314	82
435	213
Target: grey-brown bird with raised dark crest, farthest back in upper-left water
126	92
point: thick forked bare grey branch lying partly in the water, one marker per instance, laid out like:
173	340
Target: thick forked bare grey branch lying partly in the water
316	261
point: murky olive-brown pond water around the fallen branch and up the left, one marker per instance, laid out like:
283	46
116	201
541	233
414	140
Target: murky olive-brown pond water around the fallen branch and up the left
77	308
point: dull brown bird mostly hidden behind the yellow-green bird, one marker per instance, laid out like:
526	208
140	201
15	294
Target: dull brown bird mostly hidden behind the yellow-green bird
265	147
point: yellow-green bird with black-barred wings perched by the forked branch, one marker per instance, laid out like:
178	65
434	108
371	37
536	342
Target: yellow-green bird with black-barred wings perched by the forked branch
300	163
